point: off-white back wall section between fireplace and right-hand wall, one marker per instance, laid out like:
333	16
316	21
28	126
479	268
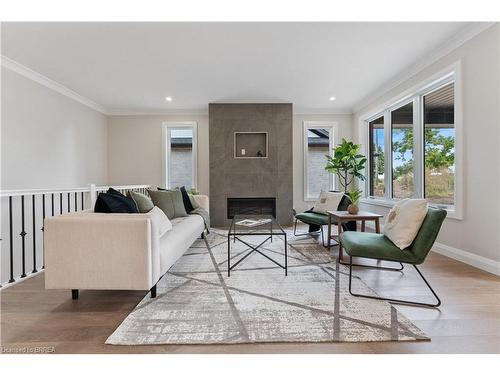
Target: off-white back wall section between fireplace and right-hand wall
344	131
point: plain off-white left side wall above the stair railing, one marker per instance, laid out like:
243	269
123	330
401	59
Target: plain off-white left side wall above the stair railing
49	140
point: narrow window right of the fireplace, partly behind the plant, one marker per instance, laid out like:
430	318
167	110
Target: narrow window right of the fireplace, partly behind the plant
318	142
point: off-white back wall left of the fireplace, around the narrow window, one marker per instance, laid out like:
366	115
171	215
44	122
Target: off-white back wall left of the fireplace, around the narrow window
135	149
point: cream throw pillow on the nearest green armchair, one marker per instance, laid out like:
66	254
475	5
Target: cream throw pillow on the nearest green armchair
404	221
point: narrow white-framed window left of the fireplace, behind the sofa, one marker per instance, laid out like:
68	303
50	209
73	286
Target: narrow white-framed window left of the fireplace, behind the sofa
179	155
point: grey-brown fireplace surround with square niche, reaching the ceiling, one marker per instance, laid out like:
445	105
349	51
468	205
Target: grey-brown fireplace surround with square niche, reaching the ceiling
267	177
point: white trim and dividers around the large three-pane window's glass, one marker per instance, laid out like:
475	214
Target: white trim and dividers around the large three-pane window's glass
450	73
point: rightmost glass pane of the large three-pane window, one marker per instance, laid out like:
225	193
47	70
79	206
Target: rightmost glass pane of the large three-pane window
439	145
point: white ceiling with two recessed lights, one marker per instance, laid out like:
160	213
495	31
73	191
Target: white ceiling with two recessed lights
132	67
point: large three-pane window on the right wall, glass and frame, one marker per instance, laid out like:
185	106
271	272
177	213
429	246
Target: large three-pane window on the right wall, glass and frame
412	146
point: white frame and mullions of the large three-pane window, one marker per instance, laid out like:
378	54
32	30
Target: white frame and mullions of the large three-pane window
415	95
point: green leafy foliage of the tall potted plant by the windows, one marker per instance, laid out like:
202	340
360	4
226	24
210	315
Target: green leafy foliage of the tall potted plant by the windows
347	163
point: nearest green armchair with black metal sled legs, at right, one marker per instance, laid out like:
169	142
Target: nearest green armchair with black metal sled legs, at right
378	246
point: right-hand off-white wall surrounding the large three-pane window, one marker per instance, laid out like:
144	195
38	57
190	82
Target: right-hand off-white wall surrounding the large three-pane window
474	239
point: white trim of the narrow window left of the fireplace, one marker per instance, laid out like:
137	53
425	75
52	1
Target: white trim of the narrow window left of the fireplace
166	149
